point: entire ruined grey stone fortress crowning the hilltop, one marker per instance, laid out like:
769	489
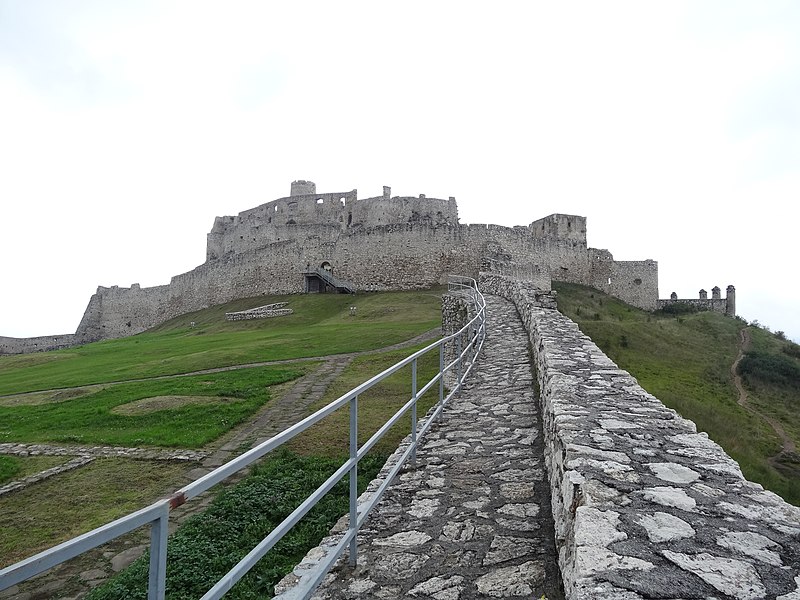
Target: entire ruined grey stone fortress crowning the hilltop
381	243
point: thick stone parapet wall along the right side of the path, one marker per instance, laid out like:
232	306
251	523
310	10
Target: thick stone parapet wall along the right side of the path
644	506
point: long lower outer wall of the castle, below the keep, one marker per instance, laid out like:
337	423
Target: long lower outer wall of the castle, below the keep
389	257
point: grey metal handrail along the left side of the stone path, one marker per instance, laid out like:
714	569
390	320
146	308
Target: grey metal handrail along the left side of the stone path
157	514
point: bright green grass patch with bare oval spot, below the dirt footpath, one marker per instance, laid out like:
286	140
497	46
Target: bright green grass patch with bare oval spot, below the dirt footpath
90	419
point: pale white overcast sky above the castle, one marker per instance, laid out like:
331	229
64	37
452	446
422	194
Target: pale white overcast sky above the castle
126	127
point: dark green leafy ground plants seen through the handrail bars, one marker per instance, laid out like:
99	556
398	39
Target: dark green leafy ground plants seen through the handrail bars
209	544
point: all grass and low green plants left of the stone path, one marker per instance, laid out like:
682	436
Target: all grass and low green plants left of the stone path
111	414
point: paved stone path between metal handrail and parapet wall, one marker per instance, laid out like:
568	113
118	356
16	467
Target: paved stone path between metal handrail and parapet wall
473	520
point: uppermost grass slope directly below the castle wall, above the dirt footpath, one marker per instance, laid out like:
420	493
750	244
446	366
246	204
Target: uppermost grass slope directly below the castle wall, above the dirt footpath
321	325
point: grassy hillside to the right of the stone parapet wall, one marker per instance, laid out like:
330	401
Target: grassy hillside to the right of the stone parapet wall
685	360
